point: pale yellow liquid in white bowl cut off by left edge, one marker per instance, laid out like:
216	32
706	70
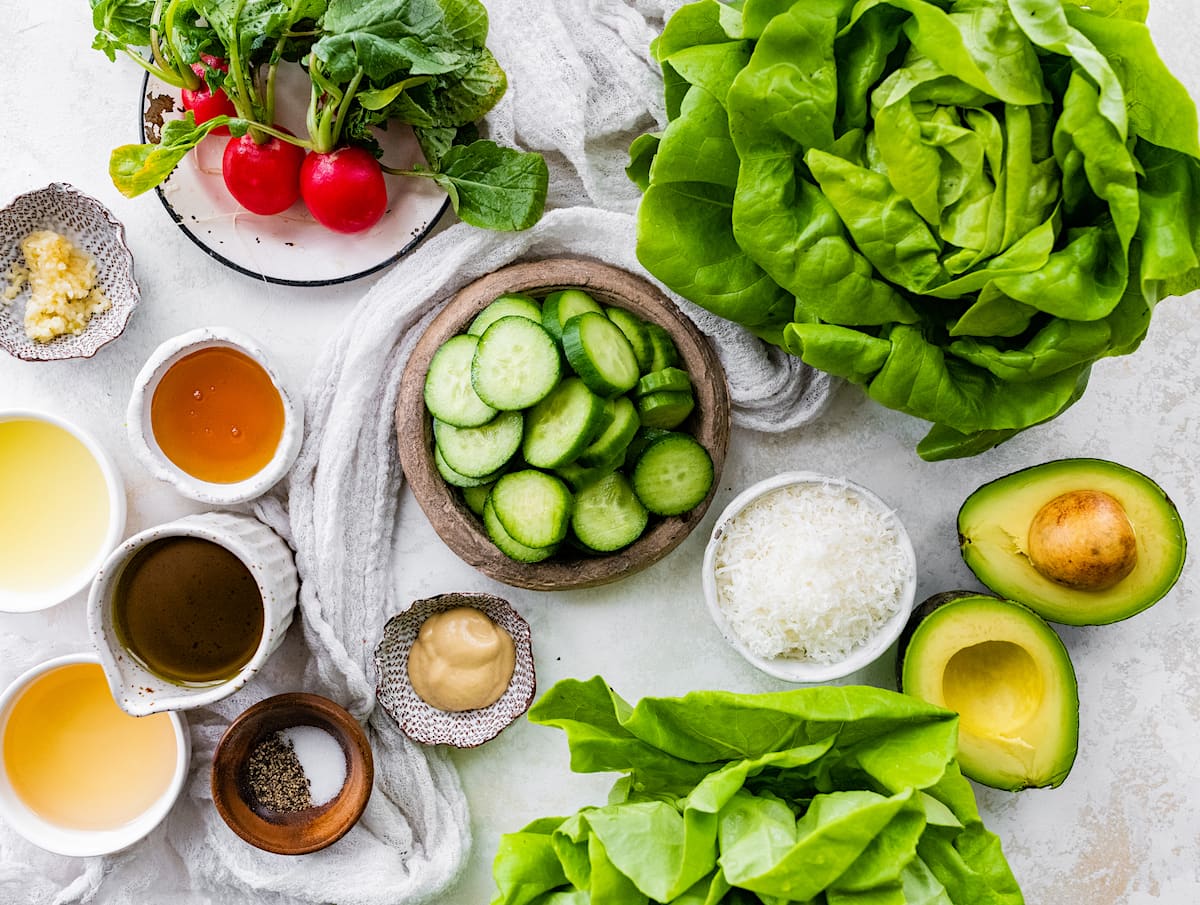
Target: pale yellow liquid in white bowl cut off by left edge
55	506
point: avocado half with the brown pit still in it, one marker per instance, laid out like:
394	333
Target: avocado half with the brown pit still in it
995	541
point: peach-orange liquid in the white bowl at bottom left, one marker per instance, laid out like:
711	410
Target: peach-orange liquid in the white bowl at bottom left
77	760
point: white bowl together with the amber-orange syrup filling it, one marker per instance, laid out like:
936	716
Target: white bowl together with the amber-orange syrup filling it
212	417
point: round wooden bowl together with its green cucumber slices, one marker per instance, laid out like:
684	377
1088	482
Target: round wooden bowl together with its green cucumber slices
562	424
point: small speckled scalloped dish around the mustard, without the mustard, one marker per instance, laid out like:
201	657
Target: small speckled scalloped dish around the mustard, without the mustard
427	724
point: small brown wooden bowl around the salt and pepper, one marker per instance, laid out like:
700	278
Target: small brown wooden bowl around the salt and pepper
291	832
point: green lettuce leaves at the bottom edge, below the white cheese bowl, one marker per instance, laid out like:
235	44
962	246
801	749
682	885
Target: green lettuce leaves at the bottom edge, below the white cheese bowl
826	796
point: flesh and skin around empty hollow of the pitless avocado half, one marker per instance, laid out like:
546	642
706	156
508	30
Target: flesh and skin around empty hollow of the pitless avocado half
922	660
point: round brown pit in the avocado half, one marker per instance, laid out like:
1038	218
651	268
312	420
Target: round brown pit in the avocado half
1083	541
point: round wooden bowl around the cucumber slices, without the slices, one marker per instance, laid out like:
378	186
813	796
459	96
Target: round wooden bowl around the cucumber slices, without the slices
451	518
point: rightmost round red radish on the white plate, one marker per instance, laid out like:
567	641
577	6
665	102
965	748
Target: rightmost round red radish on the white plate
345	189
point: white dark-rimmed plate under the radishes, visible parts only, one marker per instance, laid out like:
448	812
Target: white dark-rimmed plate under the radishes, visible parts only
291	248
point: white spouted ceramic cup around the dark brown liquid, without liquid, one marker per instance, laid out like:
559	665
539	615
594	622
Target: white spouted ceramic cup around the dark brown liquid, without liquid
140	692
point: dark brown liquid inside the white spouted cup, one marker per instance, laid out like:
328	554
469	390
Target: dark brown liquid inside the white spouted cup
189	612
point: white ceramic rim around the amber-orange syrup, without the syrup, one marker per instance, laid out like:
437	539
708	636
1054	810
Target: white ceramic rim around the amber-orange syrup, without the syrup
147	448
